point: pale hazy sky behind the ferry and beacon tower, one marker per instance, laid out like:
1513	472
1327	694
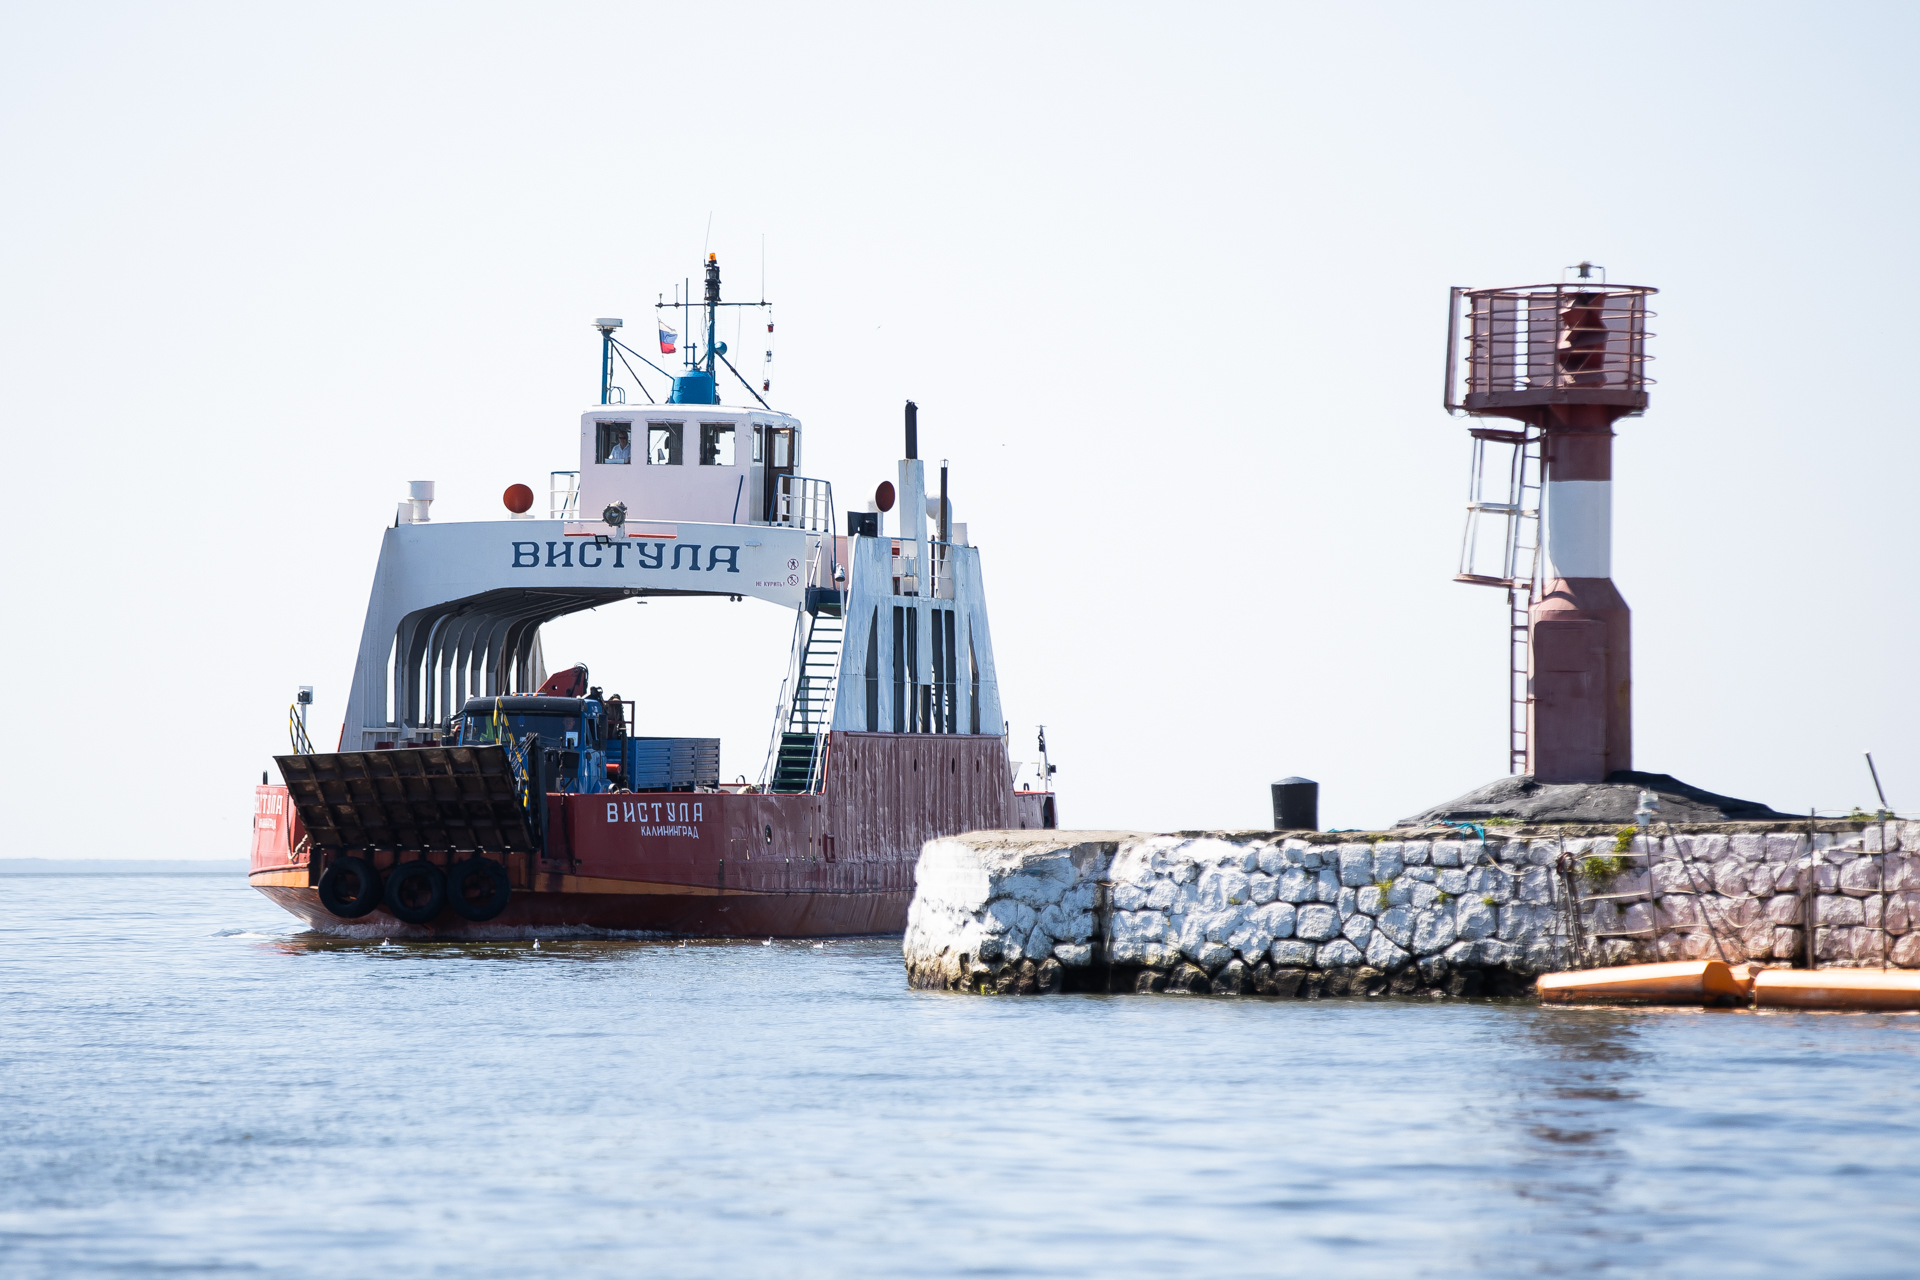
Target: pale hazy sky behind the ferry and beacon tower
1166	281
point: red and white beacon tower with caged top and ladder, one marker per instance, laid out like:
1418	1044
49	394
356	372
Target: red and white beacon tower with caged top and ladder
1566	362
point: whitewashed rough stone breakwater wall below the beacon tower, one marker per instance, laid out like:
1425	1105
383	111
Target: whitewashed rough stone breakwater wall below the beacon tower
1333	914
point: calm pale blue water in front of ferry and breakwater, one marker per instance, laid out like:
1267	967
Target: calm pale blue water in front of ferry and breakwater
191	1083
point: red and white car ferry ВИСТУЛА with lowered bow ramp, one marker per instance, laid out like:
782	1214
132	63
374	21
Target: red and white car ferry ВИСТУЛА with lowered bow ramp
475	794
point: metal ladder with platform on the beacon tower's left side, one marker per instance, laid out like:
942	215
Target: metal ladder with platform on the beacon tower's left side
1518	567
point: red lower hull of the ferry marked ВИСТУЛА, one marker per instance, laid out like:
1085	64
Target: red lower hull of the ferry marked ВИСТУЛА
711	865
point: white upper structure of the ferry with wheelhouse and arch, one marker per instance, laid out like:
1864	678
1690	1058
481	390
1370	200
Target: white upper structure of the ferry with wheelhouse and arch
708	500
